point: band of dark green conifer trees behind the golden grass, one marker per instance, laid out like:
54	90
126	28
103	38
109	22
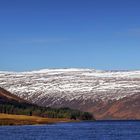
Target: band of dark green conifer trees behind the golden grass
14	107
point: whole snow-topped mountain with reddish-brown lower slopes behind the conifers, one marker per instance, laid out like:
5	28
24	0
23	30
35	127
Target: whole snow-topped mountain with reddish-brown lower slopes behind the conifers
107	94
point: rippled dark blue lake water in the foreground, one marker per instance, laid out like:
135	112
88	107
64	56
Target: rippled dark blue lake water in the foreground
105	130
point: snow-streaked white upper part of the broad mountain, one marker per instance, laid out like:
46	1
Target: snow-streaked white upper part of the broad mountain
71	84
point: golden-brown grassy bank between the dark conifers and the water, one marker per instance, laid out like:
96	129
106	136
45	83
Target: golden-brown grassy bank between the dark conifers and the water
7	119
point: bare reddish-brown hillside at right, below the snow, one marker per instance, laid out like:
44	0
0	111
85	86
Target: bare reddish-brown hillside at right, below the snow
125	108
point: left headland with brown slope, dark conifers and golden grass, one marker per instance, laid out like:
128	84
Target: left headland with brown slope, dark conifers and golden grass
15	111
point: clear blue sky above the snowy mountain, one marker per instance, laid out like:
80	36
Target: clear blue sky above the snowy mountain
98	34
